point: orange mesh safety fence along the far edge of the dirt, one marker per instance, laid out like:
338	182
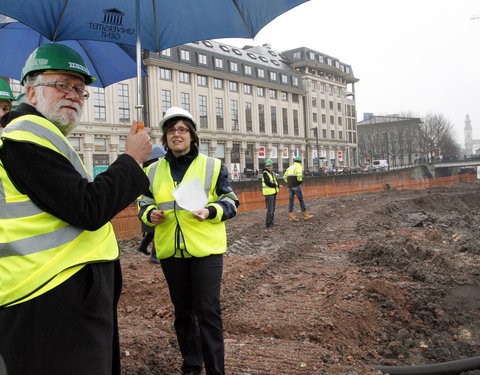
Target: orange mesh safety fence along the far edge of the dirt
127	224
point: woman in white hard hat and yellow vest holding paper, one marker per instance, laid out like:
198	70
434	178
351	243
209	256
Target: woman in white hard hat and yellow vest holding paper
190	240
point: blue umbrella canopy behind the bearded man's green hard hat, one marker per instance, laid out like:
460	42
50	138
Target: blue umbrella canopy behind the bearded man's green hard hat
108	62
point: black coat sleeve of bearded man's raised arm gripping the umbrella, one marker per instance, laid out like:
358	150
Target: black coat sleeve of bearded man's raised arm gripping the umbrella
53	184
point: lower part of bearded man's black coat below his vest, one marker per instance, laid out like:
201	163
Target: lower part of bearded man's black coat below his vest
72	329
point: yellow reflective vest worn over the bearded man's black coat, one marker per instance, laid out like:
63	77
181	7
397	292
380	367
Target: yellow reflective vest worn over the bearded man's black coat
39	251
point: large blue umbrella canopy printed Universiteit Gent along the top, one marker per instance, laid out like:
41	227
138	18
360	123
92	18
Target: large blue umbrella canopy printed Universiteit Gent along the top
161	23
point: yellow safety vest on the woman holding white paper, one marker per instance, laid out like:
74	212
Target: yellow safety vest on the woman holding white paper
180	234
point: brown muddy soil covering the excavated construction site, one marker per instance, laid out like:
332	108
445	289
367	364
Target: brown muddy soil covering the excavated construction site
387	278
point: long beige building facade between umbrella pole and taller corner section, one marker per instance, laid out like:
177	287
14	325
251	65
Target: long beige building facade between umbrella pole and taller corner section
249	105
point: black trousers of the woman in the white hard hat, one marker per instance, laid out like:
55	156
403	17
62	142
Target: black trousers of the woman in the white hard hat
194	285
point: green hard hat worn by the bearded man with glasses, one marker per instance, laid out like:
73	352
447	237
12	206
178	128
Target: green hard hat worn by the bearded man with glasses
54	56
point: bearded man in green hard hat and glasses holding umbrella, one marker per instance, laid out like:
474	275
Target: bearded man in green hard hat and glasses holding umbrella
59	270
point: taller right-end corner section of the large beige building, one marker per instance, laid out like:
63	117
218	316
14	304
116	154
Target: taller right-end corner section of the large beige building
329	106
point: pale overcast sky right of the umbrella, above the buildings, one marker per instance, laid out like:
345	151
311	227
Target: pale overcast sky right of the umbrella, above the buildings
421	56
